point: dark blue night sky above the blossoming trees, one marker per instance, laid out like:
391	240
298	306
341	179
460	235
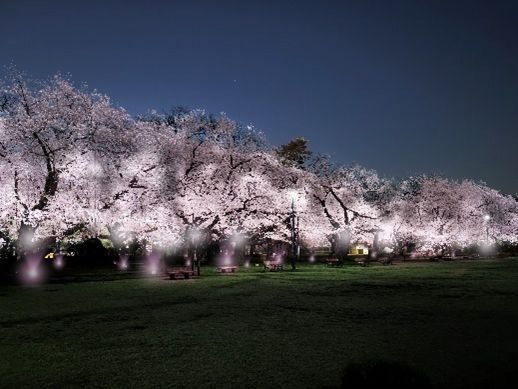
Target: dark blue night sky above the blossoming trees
403	87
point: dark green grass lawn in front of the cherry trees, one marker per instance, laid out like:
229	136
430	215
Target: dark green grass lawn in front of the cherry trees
457	322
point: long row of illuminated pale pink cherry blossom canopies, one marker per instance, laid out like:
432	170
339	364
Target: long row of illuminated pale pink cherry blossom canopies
72	161
